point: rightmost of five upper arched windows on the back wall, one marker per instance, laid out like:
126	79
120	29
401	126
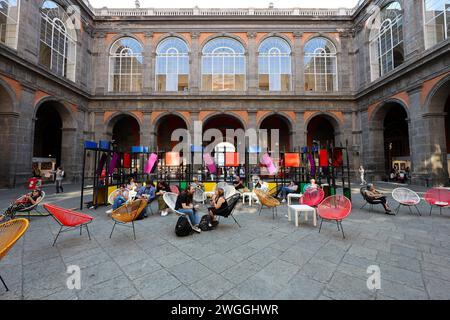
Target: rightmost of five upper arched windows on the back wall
320	65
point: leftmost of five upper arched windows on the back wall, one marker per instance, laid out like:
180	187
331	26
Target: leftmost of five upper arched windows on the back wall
125	66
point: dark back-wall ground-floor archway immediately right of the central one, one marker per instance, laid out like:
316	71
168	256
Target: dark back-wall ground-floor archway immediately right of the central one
280	123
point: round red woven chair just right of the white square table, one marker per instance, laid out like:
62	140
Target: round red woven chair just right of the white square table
335	208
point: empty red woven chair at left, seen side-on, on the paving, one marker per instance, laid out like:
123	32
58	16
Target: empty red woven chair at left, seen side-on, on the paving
68	219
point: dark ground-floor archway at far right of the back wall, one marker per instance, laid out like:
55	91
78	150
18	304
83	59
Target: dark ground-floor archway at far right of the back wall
321	131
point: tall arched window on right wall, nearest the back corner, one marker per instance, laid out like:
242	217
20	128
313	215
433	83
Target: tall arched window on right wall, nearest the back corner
386	40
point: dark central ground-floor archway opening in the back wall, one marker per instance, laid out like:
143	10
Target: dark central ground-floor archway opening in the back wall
223	123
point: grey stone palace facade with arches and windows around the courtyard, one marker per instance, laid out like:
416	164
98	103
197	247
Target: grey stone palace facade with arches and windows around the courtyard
375	78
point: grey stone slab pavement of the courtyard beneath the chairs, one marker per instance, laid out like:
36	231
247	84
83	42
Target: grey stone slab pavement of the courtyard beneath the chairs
265	259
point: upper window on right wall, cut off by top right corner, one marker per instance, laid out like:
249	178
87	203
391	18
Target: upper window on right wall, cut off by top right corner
437	21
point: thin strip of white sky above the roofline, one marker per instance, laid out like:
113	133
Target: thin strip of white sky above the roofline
226	4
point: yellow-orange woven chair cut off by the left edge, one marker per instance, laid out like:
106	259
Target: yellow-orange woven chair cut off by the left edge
10	233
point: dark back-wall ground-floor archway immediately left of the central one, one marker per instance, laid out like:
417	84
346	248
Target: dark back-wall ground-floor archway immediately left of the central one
164	130
